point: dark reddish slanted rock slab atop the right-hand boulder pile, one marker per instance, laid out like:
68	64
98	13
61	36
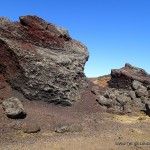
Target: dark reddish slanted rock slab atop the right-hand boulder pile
123	78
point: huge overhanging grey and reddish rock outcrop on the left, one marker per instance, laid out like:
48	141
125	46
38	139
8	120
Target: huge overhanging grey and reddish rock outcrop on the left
41	60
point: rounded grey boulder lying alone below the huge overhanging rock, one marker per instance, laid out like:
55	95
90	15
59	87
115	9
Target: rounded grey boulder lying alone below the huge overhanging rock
13	108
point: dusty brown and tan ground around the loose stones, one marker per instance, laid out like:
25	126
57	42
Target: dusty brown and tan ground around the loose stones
100	130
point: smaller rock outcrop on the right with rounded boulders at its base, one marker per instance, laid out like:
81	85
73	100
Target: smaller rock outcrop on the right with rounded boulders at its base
128	91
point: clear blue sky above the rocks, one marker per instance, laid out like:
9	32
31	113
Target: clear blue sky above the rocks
115	31
